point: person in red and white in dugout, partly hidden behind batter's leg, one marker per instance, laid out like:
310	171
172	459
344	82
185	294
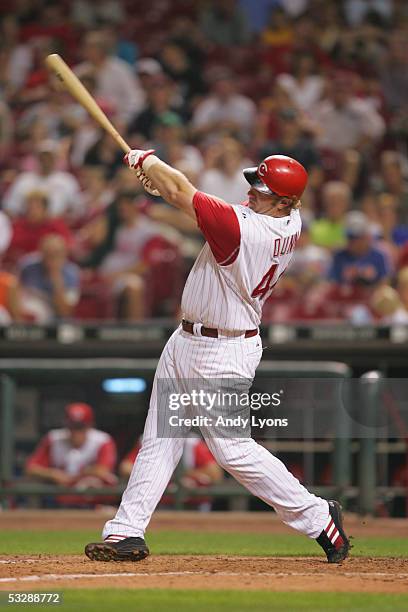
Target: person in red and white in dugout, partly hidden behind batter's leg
199	469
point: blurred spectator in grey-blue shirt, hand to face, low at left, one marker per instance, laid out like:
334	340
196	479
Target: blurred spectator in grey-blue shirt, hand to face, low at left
50	283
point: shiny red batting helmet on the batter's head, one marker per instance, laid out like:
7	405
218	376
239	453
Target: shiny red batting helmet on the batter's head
278	175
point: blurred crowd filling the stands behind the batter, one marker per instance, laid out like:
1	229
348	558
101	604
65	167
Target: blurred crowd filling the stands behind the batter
214	86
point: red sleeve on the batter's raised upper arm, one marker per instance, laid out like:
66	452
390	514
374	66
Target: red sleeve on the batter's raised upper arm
219	224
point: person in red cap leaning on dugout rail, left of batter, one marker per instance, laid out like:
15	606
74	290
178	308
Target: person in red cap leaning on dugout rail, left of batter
77	456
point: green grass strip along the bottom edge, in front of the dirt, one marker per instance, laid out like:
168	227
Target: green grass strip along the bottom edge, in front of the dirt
163	600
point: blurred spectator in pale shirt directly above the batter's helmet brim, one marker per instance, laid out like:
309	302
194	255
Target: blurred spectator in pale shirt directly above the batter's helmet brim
224	111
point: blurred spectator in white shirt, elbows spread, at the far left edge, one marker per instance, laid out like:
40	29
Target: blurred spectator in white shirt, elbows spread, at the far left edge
62	188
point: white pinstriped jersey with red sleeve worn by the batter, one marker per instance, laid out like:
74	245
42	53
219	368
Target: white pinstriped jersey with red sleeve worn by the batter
235	272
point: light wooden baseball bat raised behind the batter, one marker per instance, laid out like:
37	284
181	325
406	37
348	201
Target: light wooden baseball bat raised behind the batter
64	73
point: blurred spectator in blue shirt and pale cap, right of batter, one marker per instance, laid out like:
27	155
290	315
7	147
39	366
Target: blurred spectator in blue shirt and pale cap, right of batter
359	264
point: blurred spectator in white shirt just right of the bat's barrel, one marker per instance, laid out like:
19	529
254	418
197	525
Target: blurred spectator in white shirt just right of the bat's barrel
115	81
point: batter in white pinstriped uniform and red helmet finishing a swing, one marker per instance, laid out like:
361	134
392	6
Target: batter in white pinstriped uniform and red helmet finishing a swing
248	247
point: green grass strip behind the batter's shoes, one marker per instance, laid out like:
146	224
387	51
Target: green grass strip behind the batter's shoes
193	543
